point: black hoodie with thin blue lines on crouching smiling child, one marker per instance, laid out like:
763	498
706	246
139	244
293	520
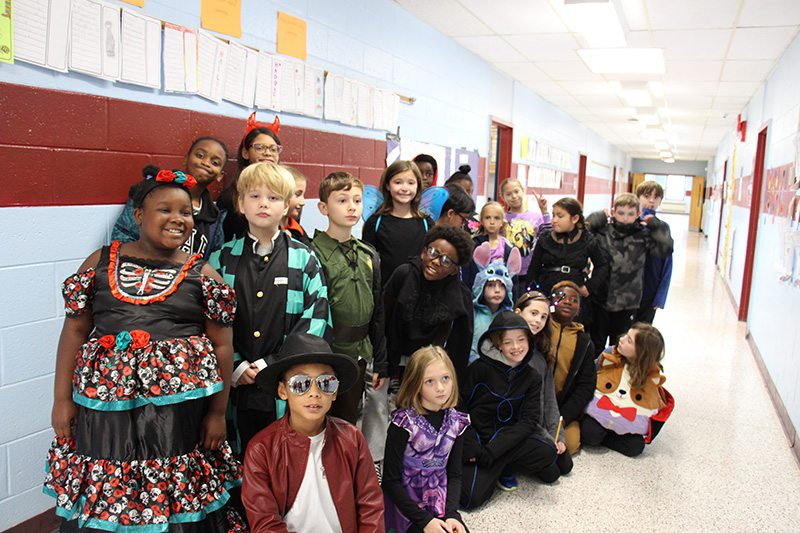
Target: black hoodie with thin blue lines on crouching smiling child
503	402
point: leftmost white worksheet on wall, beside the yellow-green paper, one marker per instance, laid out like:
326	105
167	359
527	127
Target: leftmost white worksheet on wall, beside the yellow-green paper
41	32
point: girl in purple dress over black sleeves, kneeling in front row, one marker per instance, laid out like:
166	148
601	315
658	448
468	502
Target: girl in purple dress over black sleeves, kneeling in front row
422	463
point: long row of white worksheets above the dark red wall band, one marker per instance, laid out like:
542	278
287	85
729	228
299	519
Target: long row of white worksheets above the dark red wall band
119	44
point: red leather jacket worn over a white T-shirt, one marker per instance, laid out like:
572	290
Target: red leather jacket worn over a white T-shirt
274	466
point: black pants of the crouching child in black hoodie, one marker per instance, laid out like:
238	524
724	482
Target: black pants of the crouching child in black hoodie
478	484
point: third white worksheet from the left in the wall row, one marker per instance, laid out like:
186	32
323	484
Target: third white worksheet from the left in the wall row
140	49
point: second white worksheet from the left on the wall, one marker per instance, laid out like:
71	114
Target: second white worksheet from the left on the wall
94	39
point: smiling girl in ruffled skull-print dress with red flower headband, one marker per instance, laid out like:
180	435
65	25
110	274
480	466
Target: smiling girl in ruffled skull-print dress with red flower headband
142	378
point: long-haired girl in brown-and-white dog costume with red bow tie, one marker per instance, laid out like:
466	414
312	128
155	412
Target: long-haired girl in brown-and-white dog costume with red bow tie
630	405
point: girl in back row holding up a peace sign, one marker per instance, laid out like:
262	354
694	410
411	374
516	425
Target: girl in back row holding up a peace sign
523	227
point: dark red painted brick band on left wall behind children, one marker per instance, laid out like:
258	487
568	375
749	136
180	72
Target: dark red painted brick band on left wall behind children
64	148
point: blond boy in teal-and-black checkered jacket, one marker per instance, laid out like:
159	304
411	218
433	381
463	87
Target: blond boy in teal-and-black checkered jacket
280	288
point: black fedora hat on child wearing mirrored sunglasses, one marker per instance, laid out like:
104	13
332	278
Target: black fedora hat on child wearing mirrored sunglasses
304	348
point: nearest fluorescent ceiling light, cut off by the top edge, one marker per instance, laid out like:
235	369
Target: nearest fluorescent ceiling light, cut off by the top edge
600	21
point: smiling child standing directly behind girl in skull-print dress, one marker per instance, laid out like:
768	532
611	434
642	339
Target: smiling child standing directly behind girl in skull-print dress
205	162
